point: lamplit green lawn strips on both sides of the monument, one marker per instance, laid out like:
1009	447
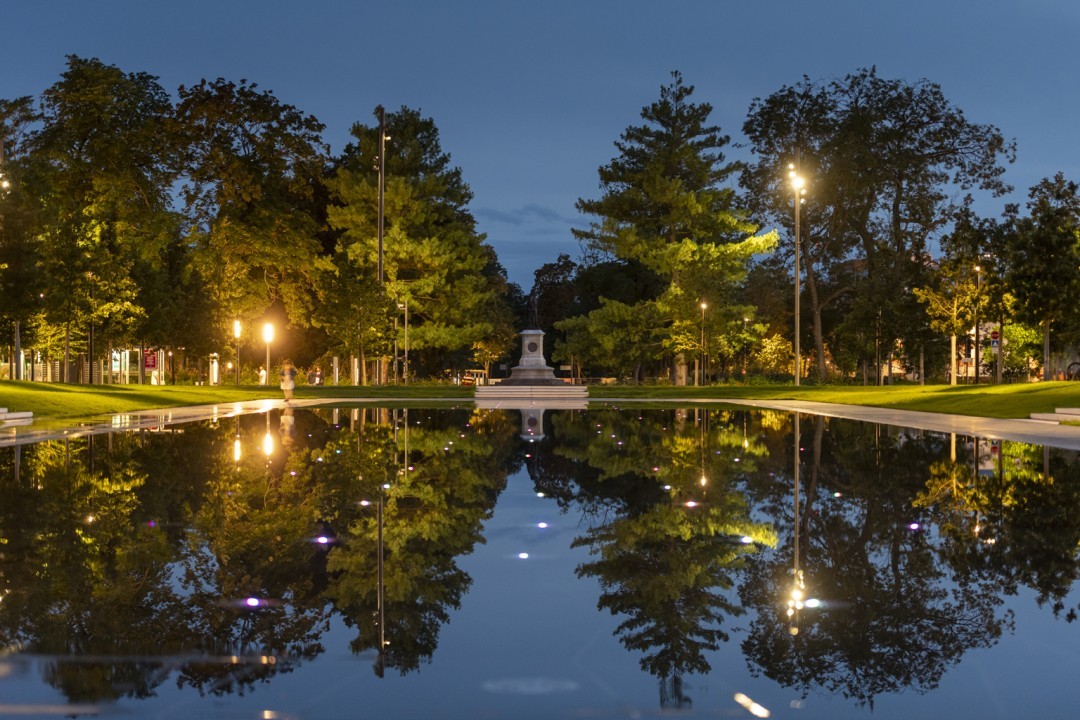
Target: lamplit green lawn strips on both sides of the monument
50	402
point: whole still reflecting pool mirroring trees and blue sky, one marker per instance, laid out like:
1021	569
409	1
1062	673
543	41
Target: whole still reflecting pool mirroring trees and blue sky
611	563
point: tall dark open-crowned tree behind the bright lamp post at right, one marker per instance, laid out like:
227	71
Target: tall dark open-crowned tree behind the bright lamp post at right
888	165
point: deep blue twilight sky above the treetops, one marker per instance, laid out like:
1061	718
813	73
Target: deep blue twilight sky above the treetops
530	97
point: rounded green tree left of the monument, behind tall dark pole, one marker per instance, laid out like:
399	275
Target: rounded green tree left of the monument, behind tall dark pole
434	257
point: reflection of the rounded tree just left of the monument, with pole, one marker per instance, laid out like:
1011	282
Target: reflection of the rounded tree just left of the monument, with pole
438	484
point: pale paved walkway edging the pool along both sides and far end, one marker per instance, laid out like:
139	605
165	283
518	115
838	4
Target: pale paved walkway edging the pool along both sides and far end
1025	431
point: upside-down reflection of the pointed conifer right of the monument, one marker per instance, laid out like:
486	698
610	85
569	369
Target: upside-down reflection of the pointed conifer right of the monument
676	532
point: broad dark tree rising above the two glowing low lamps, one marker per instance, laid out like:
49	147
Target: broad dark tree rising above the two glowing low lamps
252	168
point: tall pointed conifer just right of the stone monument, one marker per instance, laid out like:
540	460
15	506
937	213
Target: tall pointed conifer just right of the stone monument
665	208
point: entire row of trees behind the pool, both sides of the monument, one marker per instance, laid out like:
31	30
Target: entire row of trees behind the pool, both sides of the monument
139	219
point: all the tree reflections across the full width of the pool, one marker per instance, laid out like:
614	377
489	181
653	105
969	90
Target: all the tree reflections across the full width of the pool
144	548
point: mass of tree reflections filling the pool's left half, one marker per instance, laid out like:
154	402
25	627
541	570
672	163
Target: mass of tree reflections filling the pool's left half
132	559
